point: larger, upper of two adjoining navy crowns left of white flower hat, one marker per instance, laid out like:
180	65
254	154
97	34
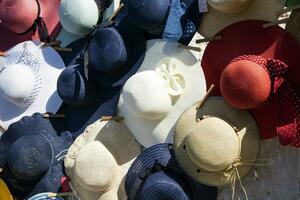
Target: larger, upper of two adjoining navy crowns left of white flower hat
107	51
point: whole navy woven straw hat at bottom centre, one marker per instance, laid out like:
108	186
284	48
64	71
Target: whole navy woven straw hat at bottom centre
155	174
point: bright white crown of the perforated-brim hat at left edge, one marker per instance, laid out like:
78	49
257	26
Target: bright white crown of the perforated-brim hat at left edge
16	82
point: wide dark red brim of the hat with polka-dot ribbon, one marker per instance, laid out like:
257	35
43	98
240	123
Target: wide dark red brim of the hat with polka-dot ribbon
249	38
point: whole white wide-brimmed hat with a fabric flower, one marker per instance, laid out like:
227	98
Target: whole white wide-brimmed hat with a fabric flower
168	81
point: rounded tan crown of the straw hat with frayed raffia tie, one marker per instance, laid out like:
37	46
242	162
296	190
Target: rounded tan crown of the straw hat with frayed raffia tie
212	145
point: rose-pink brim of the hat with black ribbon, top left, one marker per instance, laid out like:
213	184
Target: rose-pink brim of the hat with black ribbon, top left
49	13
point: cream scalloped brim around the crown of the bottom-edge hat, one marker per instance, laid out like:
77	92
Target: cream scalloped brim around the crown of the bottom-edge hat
118	140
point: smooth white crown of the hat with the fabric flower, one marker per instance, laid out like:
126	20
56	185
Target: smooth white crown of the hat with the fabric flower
145	96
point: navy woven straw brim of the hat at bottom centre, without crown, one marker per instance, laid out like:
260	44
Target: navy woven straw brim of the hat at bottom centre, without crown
163	154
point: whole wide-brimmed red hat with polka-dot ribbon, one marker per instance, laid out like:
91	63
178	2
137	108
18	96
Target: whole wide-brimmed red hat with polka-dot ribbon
264	92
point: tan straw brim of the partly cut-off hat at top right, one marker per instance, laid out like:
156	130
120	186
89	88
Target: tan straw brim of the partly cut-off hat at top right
259	10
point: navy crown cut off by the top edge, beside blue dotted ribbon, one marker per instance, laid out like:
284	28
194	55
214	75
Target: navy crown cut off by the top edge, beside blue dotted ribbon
147	14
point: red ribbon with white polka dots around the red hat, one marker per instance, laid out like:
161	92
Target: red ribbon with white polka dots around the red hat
286	98
